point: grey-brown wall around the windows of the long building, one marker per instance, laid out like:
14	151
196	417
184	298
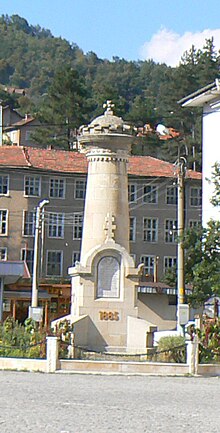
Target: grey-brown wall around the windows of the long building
69	209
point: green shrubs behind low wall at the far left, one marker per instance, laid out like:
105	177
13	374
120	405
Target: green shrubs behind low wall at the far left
17	340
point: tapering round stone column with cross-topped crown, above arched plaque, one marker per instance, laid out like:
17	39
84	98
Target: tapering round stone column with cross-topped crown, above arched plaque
106	216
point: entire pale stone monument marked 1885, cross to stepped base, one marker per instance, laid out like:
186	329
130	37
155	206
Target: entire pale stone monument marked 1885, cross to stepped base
104	283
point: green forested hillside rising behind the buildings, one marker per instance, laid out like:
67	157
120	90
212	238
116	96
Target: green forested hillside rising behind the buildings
65	87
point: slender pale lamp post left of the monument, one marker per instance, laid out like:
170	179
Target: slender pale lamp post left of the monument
38	225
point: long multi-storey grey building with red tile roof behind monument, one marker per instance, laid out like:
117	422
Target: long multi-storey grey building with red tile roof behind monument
28	175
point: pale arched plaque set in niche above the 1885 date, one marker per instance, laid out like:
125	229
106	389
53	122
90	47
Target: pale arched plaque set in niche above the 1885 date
108	284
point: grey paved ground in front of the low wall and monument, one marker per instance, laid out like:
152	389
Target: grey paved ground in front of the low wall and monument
74	403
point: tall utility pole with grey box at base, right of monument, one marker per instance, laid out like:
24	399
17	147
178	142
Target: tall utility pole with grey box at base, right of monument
182	308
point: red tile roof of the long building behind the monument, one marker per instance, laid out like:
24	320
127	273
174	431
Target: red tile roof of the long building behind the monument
73	162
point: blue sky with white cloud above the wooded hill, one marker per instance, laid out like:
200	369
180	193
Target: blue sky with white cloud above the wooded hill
161	30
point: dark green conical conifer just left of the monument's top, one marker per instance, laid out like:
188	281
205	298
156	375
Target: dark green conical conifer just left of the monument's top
63	110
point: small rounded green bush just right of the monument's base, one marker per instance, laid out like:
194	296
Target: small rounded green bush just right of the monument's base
173	348
